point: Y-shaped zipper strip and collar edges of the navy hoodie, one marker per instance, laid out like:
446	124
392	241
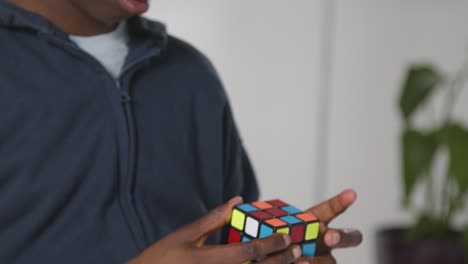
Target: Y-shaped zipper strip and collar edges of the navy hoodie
127	176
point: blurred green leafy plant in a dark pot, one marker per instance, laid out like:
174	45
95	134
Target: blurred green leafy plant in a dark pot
433	238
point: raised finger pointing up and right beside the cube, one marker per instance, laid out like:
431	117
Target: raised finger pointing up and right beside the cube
329	210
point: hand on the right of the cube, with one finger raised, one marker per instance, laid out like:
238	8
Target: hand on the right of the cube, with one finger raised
332	238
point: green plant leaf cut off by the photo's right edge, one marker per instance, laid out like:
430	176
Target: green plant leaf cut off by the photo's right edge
457	141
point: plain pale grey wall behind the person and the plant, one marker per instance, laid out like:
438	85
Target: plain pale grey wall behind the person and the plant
314	87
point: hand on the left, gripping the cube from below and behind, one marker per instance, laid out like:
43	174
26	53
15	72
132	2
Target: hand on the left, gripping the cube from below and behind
186	245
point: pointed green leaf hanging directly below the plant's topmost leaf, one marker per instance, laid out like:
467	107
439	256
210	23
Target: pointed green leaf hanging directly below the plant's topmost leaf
418	151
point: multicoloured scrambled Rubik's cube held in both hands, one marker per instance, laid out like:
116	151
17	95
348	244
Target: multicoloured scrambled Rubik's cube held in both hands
261	219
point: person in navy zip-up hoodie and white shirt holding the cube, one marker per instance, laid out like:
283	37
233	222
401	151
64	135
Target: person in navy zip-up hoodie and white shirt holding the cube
114	137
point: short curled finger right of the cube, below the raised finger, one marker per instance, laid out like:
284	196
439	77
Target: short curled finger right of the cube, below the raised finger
342	238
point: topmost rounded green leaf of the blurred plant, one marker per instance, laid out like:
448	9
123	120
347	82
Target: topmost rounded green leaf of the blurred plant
420	82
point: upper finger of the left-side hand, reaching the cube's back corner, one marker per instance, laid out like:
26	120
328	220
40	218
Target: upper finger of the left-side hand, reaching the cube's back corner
214	220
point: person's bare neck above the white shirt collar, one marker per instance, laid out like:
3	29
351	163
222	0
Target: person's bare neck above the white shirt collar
66	16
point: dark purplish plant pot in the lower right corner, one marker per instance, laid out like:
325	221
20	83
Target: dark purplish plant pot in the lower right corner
394	248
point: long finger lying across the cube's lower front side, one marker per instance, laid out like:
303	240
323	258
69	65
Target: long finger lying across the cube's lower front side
242	252
